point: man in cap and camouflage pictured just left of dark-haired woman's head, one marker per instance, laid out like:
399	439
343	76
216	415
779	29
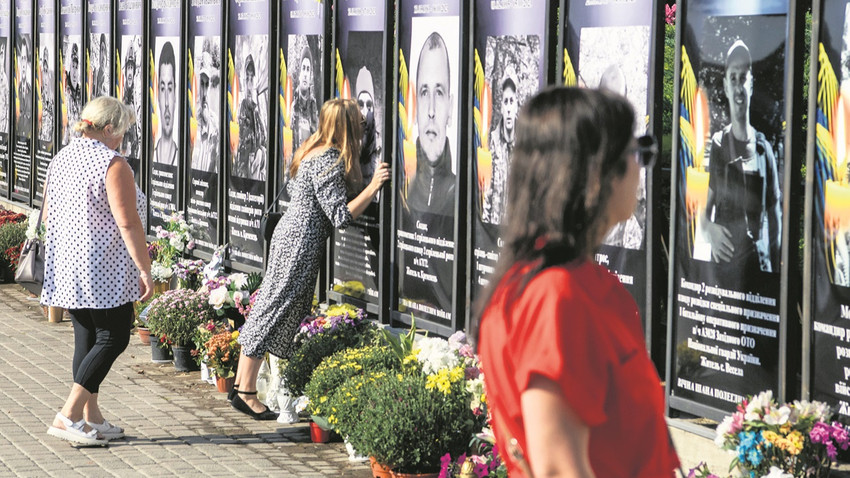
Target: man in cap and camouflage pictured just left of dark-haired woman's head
501	147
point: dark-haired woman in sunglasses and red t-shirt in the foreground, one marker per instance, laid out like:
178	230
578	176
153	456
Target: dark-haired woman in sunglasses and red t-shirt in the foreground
570	385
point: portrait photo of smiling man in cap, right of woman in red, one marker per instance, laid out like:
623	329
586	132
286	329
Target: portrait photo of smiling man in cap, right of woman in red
740	217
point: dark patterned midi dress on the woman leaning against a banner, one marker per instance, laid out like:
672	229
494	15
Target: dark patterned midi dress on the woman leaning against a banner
318	205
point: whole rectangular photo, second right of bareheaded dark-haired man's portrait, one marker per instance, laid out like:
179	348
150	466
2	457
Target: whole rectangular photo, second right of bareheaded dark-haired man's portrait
252	71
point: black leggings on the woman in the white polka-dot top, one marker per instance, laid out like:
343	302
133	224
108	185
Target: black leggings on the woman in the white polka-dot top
100	335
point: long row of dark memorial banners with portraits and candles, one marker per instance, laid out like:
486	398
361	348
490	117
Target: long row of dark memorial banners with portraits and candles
226	91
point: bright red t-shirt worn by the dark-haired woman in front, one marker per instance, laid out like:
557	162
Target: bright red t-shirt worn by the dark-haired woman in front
578	326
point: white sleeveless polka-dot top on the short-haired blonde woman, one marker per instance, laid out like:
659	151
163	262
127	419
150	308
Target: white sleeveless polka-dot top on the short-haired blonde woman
87	265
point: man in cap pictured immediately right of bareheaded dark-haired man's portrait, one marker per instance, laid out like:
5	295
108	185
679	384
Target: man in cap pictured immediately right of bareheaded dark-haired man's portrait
206	152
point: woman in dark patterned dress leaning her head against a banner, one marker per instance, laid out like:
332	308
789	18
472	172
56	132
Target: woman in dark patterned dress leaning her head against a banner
326	169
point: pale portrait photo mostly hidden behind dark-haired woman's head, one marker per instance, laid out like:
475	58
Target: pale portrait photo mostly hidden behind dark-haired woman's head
617	59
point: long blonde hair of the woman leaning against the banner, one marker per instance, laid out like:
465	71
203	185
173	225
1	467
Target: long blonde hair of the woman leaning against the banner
339	127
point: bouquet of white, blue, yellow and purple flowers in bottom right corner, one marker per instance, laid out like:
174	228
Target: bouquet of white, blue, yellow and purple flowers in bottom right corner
797	438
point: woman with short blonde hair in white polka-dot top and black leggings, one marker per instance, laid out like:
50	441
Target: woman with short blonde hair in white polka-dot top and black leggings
96	260
